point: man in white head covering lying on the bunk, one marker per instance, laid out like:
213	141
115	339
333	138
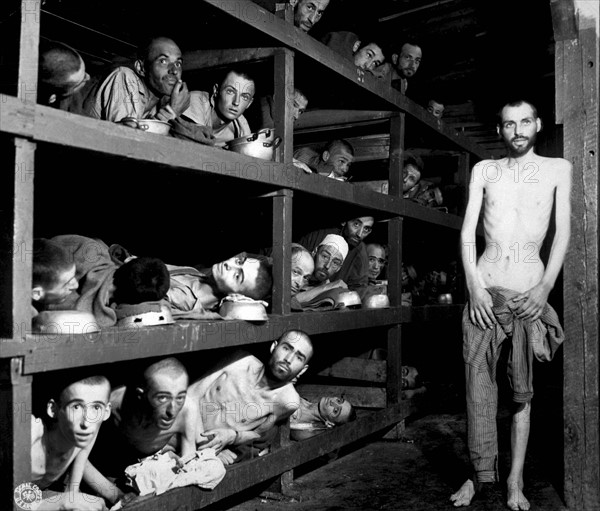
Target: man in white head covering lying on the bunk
329	257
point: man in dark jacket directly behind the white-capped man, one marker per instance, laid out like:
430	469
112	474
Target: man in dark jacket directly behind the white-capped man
355	270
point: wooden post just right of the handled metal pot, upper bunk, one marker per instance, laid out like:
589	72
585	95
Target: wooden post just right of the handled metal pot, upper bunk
283	97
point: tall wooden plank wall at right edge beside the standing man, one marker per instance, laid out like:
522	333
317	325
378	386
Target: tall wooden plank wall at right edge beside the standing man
576	108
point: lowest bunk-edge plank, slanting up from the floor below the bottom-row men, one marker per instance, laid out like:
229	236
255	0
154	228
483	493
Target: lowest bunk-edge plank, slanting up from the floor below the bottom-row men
247	474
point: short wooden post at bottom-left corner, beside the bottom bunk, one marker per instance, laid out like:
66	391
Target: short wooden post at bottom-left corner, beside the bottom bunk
15	429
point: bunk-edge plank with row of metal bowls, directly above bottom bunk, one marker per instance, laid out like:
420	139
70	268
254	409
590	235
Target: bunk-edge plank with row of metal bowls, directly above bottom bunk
52	352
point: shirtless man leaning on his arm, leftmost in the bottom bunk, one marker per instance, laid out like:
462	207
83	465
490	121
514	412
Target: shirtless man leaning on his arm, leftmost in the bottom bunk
62	440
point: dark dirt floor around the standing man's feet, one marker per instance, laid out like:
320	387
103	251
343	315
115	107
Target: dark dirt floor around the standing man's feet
422	469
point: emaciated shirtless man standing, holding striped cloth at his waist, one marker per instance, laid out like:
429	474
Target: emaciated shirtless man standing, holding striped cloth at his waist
517	193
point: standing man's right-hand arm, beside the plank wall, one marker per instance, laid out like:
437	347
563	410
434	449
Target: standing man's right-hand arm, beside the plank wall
535	299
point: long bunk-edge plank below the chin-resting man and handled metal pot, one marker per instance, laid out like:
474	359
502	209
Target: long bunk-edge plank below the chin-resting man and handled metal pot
49	125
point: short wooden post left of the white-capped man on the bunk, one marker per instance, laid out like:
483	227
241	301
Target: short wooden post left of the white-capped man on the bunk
282	239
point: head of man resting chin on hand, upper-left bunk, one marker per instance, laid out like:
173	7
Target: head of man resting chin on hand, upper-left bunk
160	64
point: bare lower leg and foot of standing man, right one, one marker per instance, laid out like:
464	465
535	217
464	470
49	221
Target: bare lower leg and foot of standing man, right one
518	440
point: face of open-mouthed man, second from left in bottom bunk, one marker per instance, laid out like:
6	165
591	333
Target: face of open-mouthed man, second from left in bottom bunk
165	395
